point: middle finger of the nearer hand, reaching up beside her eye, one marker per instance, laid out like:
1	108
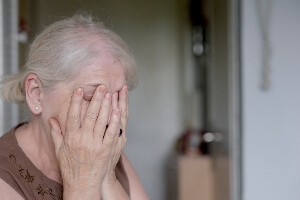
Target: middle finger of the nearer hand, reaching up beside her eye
92	112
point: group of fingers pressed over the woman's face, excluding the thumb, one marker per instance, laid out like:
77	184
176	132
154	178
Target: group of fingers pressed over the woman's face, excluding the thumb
98	113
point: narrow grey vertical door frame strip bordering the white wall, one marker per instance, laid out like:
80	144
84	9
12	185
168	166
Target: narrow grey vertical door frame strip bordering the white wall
235	93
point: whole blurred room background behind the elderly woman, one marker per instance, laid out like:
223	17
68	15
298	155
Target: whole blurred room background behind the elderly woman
215	115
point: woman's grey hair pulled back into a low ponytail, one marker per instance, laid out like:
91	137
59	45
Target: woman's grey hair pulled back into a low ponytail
57	53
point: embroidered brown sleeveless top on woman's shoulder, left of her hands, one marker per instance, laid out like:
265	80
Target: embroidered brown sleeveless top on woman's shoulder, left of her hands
22	175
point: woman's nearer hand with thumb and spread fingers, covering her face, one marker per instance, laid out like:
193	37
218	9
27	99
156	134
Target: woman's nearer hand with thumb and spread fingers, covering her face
84	151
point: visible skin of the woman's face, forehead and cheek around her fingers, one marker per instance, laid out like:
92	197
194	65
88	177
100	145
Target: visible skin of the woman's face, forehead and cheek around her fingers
104	71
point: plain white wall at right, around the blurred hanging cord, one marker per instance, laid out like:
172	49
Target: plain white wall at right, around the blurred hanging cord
271	128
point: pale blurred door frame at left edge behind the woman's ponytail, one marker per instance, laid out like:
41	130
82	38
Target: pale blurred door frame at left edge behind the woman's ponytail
9	58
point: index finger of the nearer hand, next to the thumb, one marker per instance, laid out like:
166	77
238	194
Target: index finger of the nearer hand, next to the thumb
73	116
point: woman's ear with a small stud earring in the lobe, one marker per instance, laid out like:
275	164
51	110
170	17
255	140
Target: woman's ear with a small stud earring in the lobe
33	91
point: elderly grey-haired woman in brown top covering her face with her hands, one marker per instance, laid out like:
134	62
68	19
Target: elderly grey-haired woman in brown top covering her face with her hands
75	83
